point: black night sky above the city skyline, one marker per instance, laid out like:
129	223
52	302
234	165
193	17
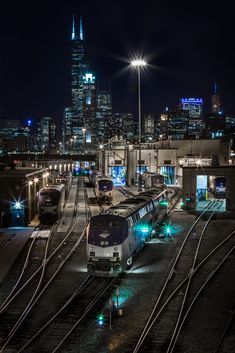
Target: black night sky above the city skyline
189	46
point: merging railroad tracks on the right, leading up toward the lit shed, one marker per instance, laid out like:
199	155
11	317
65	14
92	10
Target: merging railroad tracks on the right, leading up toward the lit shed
164	325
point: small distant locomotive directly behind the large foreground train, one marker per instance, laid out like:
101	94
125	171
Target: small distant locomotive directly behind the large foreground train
104	188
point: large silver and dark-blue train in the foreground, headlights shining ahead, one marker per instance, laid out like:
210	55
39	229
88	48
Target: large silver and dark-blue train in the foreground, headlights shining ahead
113	238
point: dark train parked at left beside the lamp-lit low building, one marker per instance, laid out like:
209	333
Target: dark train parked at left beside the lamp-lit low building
51	200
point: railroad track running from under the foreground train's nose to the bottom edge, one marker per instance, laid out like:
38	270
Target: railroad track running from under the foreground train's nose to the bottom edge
59	328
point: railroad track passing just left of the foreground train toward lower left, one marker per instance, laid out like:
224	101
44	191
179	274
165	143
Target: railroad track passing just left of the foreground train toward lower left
24	307
